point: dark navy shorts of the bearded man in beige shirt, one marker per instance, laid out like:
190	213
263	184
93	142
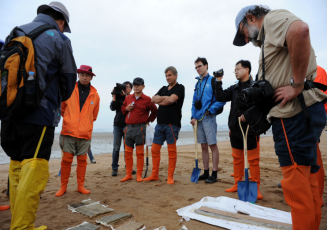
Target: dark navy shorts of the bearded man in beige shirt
303	143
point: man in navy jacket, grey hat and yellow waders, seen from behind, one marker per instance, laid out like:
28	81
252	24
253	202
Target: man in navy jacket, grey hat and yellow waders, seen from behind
21	139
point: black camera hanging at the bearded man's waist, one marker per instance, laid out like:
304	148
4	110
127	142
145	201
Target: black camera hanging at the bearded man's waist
260	91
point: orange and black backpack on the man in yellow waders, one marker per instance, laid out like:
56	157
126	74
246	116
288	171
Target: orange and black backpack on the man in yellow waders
19	93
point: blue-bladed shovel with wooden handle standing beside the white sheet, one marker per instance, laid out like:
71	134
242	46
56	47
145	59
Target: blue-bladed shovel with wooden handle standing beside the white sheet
247	191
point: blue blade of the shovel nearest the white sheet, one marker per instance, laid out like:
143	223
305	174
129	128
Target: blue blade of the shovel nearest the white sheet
247	190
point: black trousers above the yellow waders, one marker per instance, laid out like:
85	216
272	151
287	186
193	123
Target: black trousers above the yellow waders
20	140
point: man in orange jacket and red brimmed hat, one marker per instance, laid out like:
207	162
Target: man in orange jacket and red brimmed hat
79	113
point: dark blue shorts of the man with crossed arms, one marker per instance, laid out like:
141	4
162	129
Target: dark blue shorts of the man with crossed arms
164	133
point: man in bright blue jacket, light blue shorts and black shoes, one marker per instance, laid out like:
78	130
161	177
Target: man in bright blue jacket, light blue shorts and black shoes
204	111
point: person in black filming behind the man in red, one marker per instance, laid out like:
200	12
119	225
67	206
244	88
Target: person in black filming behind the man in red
119	94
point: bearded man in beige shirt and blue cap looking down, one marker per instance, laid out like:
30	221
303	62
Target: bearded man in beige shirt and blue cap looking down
299	118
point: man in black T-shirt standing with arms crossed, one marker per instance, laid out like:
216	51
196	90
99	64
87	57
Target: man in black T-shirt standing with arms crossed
170	100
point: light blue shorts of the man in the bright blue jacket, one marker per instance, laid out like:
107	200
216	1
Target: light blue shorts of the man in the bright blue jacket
207	130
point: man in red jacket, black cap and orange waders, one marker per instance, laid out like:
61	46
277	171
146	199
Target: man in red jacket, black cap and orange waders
136	107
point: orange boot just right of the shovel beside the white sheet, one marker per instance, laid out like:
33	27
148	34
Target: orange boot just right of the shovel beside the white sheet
253	158
